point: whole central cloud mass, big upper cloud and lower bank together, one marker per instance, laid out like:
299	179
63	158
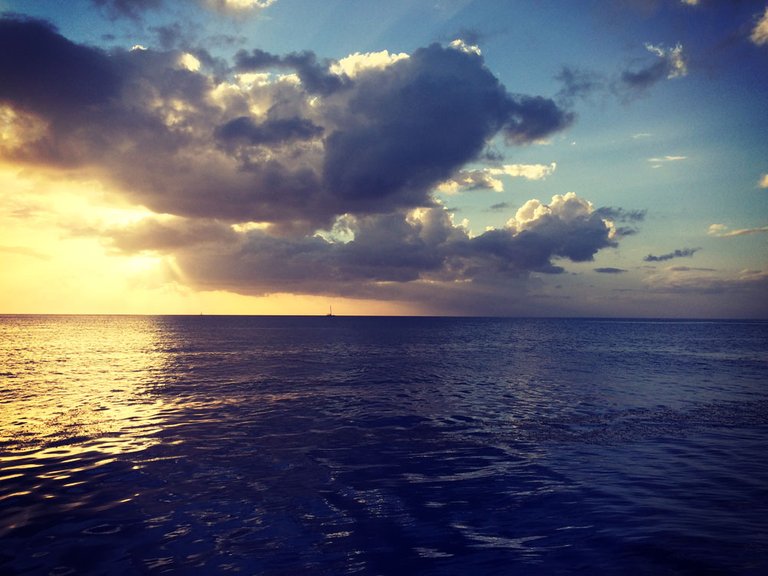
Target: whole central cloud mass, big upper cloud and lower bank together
292	173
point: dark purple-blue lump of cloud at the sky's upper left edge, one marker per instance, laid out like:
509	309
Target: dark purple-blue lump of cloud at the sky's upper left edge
43	72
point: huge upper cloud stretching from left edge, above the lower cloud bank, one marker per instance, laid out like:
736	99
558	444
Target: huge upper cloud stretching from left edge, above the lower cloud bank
149	121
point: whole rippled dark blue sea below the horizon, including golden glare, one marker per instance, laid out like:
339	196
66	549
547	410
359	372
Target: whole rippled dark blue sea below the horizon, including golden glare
252	445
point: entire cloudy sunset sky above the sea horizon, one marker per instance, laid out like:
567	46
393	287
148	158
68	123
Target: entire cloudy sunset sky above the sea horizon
606	158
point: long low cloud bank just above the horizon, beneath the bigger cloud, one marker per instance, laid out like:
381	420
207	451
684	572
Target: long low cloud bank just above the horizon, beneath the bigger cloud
407	248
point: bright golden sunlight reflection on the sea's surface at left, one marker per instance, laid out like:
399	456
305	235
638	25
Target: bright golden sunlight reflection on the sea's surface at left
79	385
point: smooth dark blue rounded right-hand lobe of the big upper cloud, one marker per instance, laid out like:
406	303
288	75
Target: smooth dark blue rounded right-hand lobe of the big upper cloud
409	126
